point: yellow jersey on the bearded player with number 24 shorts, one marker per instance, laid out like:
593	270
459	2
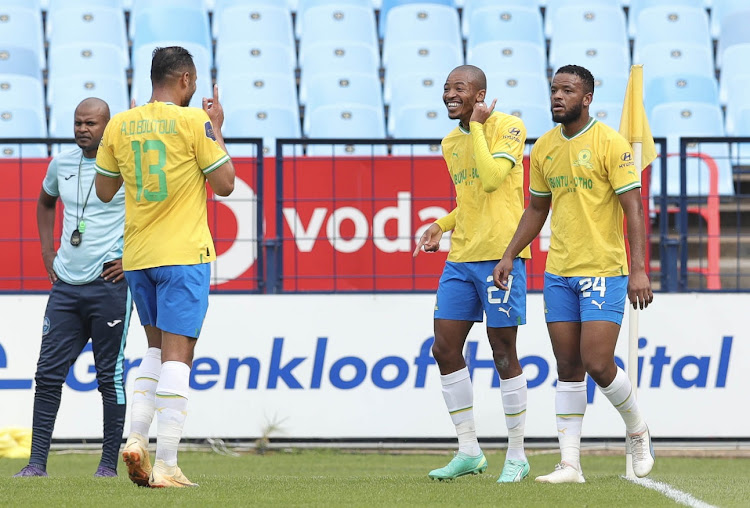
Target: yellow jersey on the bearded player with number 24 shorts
584	174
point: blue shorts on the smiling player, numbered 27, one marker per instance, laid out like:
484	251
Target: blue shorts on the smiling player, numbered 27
466	290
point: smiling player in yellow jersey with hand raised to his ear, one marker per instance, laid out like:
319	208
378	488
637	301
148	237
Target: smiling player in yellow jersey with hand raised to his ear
484	155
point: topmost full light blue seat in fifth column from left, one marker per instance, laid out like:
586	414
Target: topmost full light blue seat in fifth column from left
349	23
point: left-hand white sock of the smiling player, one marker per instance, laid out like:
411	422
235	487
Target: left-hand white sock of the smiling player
459	399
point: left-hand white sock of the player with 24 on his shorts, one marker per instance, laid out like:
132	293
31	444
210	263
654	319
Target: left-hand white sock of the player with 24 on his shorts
570	406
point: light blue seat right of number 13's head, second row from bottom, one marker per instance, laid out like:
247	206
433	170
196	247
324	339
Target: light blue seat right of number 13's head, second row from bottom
258	89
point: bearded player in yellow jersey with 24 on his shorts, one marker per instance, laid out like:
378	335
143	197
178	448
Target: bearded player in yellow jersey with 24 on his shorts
585	171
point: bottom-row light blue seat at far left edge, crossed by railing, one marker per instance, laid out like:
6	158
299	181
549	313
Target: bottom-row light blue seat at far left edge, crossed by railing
21	122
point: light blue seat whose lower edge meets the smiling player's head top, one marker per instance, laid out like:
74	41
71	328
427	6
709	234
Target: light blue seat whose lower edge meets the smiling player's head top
498	55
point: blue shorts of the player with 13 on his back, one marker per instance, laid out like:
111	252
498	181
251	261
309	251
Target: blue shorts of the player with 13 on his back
172	298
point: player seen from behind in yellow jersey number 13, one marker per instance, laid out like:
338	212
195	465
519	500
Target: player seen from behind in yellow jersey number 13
164	152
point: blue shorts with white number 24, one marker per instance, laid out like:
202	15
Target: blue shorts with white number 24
581	299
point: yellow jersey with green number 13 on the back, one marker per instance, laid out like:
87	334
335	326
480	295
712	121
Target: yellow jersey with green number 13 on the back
163	153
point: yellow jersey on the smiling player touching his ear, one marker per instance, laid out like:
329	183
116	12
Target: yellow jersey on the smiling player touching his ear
485	221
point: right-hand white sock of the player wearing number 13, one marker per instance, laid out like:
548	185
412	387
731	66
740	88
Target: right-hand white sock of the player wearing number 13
171	409
